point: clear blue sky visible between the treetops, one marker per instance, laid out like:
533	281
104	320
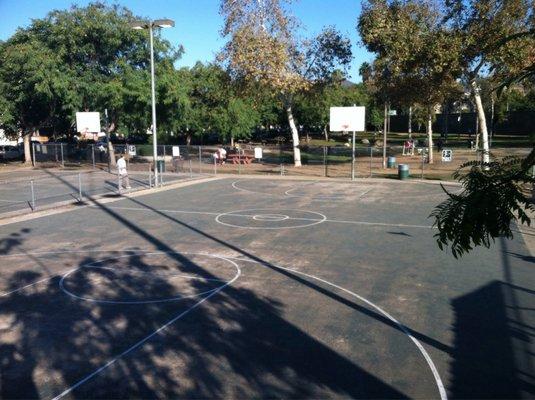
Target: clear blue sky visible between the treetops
198	23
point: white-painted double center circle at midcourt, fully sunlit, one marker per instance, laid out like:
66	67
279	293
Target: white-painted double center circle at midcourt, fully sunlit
270	218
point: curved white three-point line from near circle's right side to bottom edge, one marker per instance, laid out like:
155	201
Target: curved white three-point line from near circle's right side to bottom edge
421	348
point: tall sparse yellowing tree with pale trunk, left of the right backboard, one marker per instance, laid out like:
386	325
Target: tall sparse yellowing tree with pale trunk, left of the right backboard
263	51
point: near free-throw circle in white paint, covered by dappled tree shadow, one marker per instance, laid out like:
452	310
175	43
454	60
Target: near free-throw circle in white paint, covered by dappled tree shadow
145	278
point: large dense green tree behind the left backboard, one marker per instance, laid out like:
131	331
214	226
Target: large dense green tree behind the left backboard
81	59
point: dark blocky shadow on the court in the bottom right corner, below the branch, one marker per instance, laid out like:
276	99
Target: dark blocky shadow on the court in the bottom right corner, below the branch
493	356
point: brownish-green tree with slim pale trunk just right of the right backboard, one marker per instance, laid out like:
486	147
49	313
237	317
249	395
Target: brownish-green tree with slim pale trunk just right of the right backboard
422	70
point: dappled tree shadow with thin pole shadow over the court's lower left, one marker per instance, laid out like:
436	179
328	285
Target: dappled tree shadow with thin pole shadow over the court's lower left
56	341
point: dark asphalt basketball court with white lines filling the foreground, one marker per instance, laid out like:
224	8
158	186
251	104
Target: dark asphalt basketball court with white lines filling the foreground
261	288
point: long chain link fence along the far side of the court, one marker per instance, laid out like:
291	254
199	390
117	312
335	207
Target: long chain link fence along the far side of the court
319	161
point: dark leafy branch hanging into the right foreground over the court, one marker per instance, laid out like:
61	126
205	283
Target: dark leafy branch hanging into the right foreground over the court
494	195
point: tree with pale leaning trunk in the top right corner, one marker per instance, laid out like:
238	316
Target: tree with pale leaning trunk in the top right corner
495	41
